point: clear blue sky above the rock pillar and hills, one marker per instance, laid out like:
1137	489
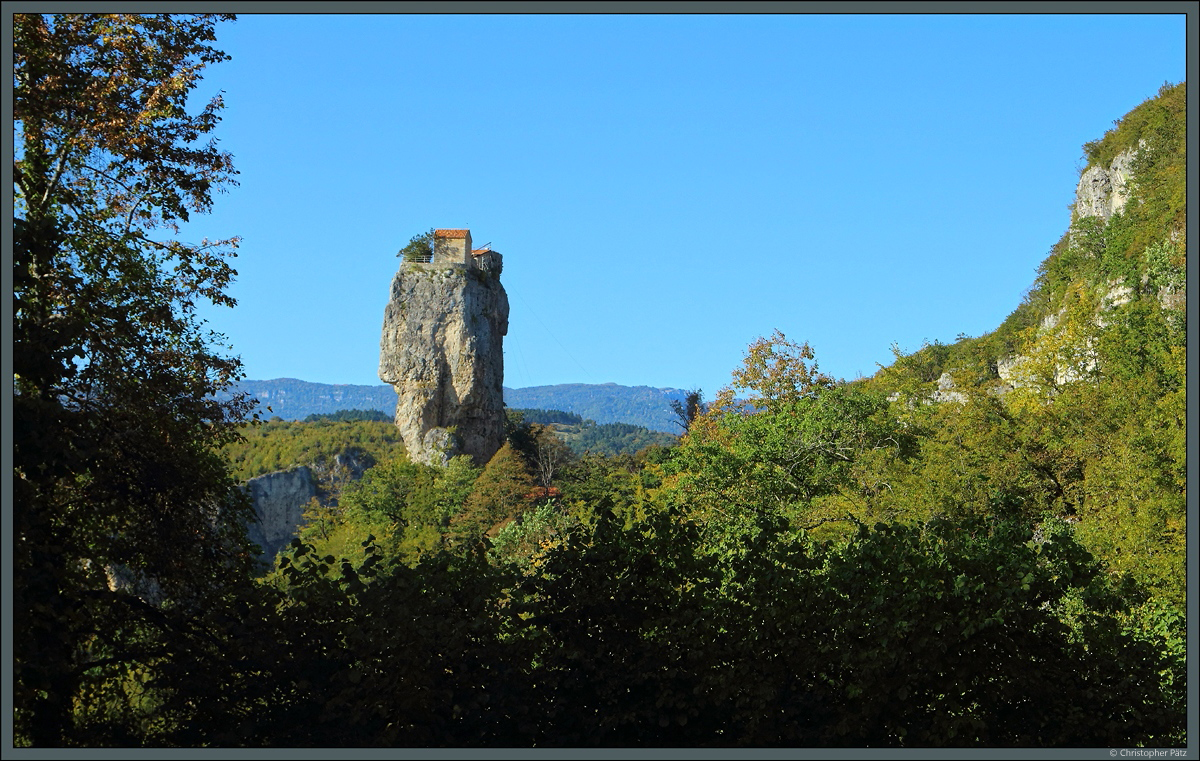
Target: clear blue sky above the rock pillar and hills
664	189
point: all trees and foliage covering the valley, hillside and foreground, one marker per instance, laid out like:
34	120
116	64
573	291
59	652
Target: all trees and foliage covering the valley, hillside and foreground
817	564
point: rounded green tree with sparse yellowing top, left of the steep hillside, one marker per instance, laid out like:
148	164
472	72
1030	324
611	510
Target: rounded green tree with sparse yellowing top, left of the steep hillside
797	444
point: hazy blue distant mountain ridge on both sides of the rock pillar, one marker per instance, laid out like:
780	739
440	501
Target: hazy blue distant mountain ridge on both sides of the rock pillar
609	403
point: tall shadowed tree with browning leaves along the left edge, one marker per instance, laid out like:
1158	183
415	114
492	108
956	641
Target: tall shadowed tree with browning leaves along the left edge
115	414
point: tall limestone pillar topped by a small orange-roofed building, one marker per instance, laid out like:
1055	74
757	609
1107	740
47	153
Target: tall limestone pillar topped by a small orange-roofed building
442	350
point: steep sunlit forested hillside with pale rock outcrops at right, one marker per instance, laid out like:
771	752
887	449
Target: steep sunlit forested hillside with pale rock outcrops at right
1076	405
